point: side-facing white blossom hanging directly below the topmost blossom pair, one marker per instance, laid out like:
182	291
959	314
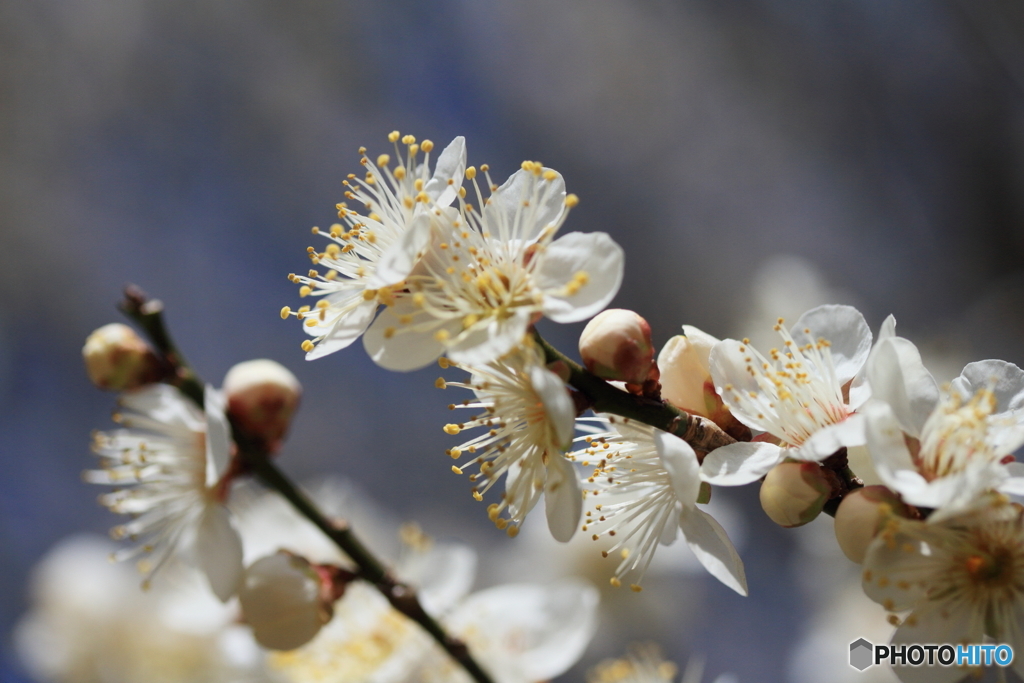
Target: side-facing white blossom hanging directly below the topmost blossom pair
530	418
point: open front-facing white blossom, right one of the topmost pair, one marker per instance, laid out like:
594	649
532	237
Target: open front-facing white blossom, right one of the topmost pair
499	272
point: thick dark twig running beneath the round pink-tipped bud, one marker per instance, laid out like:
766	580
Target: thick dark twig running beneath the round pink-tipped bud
700	433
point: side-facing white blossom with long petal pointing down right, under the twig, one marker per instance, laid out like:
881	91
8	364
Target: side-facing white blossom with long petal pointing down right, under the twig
653	482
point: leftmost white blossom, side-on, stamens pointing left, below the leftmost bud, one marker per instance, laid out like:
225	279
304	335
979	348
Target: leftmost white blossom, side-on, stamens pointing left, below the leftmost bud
168	467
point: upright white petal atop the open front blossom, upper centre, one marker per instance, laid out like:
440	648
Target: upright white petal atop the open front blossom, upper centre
506	217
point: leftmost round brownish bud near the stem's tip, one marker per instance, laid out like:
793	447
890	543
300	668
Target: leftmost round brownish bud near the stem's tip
117	359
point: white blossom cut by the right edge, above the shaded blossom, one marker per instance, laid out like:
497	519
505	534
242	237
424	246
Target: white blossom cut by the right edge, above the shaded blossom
944	449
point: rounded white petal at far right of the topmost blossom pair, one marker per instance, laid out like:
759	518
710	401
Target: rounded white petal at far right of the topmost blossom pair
595	254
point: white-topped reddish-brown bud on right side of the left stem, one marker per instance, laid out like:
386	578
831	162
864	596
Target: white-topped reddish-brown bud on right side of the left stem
263	397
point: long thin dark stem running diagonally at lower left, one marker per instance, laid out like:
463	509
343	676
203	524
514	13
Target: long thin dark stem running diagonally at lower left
148	314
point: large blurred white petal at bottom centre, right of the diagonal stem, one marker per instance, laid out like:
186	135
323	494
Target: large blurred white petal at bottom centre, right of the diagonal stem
535	632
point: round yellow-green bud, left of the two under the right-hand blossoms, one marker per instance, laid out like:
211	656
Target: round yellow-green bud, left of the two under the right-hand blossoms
793	494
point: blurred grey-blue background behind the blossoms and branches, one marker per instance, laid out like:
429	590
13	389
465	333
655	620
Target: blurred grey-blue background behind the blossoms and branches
754	159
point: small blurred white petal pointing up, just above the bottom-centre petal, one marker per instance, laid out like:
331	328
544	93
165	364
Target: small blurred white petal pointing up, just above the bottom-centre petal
443	575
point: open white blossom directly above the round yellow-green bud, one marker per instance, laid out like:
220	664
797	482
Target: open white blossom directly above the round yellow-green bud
803	396
